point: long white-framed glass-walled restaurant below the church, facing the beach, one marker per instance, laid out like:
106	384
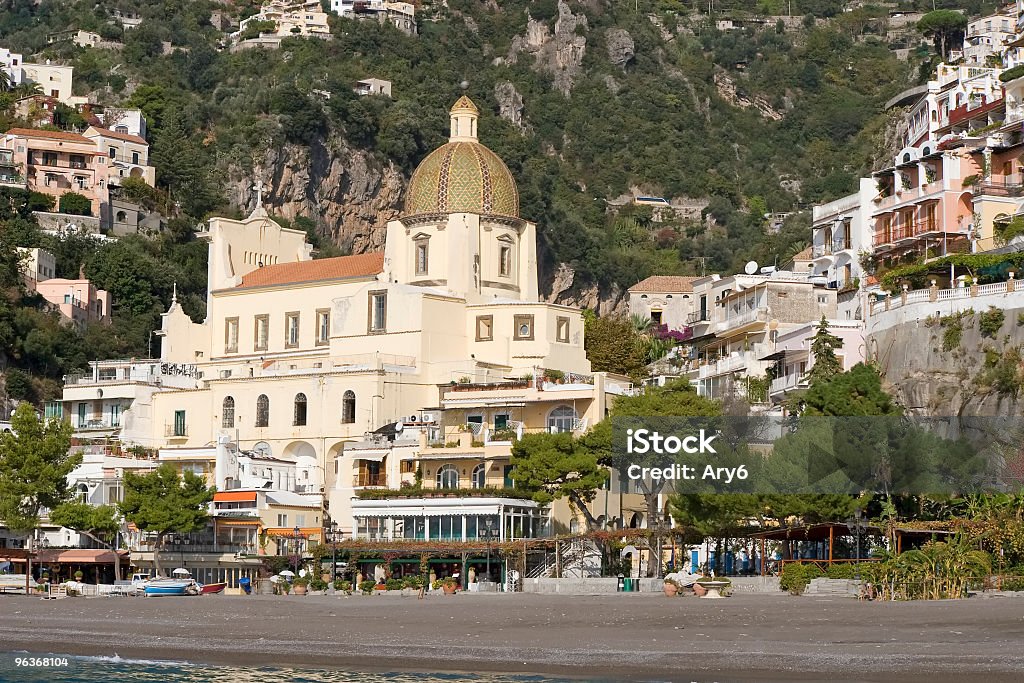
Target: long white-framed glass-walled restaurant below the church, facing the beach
447	520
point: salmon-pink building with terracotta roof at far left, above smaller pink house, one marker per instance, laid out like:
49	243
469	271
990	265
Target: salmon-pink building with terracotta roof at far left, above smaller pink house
57	162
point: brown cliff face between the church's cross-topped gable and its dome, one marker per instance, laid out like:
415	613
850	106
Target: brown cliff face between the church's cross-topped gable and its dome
349	193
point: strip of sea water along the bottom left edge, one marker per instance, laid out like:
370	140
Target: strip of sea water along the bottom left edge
109	670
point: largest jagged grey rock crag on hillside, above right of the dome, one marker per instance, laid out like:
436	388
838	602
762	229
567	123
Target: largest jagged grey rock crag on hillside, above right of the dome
560	54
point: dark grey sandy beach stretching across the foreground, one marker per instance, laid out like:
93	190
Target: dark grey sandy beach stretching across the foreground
618	637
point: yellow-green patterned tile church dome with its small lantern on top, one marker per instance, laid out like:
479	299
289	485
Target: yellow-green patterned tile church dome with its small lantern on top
462	176
